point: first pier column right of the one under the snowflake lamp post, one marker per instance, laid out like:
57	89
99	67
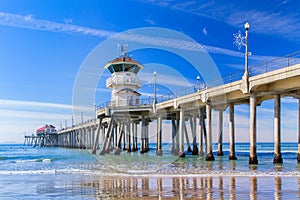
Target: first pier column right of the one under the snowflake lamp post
277	134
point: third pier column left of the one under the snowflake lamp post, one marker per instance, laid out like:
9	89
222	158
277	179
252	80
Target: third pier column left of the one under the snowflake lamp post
209	154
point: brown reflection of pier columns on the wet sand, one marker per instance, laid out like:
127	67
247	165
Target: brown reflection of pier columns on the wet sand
228	187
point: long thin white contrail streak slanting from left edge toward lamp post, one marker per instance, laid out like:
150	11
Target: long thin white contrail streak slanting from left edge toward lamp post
28	22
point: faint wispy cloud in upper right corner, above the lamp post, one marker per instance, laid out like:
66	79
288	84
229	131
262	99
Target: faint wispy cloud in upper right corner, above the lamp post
275	19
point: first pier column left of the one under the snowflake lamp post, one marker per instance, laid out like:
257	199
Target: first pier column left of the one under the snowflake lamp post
231	133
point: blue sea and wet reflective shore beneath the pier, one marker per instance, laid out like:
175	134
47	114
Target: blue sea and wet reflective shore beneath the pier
61	173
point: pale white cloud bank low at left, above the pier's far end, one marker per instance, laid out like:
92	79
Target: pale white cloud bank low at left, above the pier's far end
17	117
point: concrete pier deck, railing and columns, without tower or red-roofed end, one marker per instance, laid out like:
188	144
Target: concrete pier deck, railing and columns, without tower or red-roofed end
126	128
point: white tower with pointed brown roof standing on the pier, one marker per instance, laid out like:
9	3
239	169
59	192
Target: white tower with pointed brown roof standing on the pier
124	81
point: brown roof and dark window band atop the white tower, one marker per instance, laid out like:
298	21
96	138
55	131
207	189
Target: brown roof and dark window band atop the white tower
124	64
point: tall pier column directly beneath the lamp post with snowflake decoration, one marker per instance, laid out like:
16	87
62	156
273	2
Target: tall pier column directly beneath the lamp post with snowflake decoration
253	156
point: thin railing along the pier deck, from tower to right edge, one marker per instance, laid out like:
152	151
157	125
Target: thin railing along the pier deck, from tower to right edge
264	67
